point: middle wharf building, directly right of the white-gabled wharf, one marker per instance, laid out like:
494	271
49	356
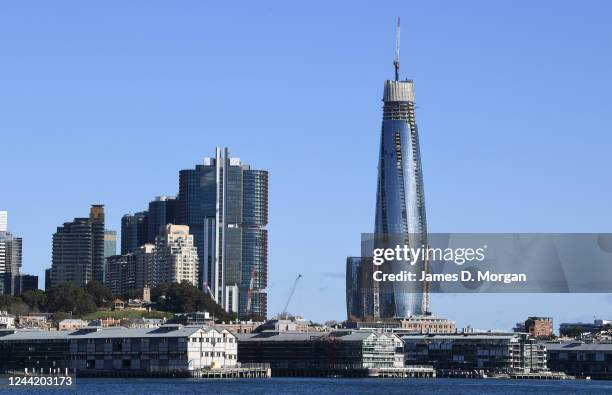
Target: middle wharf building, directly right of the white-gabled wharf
321	353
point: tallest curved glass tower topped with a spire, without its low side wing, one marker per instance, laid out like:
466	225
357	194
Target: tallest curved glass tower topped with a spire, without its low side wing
400	200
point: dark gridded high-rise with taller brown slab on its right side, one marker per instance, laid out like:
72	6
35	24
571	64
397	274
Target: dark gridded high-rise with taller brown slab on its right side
78	250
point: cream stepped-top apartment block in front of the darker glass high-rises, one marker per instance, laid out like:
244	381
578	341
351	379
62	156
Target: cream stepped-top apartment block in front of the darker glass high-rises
175	257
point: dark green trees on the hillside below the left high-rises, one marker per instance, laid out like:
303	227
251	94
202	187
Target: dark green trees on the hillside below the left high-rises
68	299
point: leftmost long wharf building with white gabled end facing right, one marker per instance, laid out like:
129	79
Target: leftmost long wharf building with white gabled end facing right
118	350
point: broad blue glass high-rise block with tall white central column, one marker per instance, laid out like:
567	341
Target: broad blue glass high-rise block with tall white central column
225	205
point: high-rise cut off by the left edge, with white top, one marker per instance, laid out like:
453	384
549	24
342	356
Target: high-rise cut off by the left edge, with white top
10	258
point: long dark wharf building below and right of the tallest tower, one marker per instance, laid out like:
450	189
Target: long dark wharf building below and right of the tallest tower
490	352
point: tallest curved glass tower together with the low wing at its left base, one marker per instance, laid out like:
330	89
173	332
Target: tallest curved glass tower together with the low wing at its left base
400	213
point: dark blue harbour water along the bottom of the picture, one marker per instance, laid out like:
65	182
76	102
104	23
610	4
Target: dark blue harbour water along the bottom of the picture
279	386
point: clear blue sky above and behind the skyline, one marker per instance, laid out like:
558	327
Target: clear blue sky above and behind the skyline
107	101
